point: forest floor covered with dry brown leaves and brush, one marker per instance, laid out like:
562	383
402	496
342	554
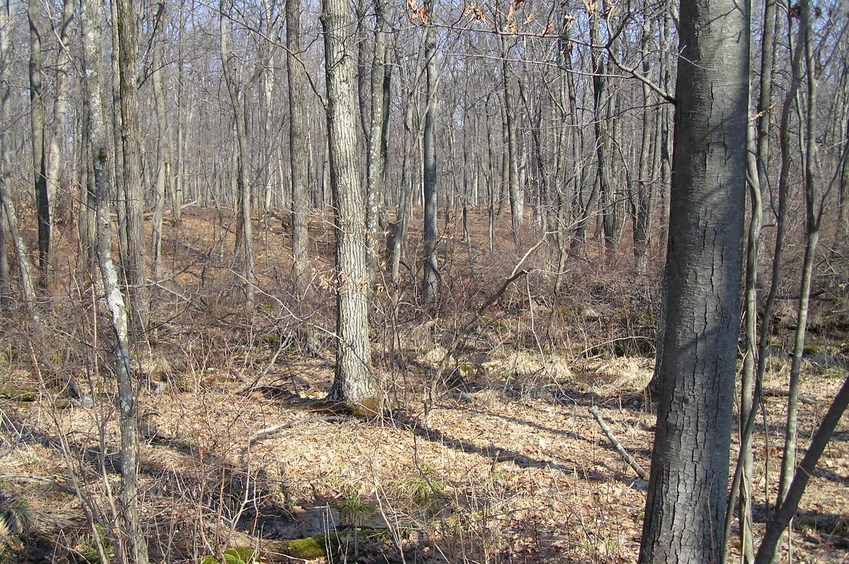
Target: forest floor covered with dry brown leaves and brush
495	458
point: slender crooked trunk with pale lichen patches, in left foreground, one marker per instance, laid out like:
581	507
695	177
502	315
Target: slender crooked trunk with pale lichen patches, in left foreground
131	543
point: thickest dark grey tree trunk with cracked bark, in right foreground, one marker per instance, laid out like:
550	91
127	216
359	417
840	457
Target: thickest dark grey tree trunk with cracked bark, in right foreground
686	500
